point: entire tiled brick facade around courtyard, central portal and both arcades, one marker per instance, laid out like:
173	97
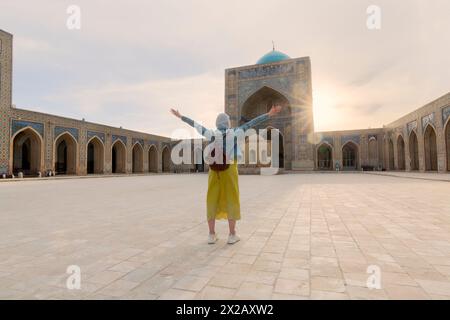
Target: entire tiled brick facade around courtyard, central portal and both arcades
249	91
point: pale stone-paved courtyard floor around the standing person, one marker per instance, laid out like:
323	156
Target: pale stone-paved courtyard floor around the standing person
304	236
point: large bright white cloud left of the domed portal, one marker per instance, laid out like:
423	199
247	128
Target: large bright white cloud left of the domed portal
144	106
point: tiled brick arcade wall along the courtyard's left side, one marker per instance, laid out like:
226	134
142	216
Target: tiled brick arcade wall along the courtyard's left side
50	127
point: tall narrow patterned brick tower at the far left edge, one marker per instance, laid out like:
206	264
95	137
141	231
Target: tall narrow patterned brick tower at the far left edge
5	97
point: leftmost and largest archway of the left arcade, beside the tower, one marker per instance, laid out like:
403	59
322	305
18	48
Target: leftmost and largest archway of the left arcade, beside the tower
26	152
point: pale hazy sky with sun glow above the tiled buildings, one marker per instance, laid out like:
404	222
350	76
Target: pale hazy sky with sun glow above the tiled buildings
133	60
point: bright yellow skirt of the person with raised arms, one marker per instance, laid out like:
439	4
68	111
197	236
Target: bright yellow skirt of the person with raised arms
222	200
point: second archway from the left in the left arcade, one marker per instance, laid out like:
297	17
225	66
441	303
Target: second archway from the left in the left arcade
65	154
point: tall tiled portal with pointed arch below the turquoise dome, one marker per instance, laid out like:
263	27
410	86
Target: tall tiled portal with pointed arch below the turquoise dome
288	83
